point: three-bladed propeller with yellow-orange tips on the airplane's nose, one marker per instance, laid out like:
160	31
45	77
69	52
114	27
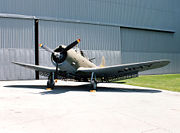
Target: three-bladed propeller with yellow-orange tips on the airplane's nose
60	55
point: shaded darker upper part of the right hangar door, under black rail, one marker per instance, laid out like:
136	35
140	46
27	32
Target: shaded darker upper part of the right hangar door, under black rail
148	41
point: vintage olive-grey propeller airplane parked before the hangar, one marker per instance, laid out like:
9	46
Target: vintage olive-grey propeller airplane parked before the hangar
71	63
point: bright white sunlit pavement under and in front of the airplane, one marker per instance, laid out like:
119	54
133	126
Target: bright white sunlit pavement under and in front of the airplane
26	107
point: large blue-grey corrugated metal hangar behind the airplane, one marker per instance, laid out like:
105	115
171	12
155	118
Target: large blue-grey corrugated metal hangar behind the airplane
124	31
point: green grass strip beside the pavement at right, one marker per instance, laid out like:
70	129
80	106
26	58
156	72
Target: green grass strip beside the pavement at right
166	82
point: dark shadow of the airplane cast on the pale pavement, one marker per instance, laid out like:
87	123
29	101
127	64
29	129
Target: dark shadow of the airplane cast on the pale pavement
63	89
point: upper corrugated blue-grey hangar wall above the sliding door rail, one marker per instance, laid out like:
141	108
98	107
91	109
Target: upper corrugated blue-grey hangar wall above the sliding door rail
153	13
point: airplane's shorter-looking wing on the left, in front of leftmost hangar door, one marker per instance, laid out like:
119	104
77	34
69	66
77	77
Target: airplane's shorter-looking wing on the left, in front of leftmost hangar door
42	69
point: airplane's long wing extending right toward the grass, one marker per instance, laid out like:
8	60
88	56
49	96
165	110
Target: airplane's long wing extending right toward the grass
124	69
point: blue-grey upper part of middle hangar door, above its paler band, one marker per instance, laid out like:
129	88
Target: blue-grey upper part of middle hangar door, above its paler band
93	37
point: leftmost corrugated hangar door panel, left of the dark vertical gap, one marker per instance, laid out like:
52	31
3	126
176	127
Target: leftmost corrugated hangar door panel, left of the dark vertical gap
16	44
